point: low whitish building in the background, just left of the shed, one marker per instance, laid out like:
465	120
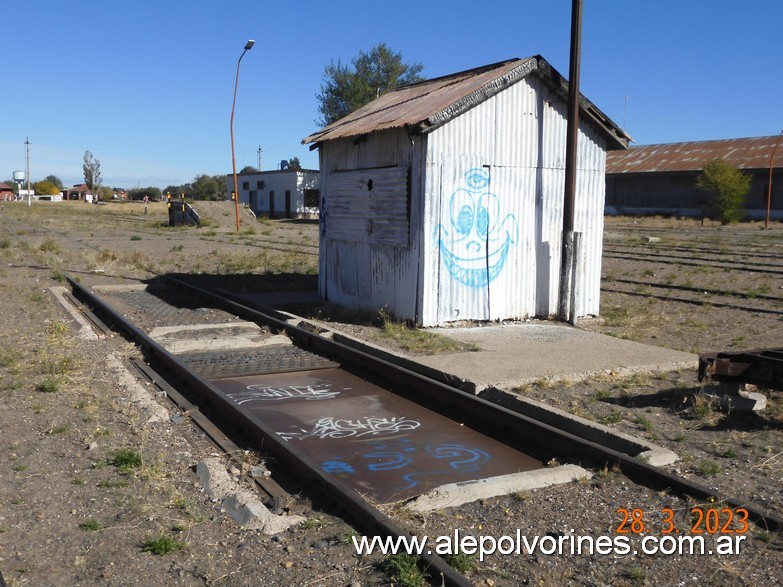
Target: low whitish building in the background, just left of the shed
279	194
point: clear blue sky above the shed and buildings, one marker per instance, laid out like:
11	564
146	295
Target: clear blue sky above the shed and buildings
147	86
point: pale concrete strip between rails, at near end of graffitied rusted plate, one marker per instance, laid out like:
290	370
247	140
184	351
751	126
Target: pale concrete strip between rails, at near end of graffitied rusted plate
457	494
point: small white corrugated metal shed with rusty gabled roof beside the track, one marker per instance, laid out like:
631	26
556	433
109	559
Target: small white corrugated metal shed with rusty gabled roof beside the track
443	200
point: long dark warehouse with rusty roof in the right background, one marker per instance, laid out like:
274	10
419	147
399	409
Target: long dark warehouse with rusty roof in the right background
661	179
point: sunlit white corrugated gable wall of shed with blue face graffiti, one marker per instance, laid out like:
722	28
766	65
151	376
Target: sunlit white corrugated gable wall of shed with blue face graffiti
515	145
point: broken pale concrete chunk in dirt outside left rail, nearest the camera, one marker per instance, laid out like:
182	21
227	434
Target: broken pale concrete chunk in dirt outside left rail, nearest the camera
241	504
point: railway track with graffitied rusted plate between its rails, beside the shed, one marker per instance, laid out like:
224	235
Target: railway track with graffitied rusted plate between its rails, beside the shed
310	370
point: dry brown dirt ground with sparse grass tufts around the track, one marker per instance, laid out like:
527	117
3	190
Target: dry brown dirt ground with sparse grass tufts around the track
93	494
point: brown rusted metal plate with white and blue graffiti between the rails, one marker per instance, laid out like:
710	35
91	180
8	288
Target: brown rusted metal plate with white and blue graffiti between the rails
381	444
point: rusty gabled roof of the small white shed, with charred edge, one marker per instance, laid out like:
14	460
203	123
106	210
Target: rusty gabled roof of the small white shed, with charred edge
427	105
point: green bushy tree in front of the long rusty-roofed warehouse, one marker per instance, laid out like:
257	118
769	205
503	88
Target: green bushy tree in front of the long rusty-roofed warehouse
728	186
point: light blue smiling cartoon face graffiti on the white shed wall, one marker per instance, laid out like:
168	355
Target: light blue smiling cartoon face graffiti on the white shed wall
475	242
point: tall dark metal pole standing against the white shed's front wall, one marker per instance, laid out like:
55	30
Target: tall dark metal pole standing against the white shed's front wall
567	256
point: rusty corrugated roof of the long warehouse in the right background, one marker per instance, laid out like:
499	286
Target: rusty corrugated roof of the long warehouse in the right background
753	153
